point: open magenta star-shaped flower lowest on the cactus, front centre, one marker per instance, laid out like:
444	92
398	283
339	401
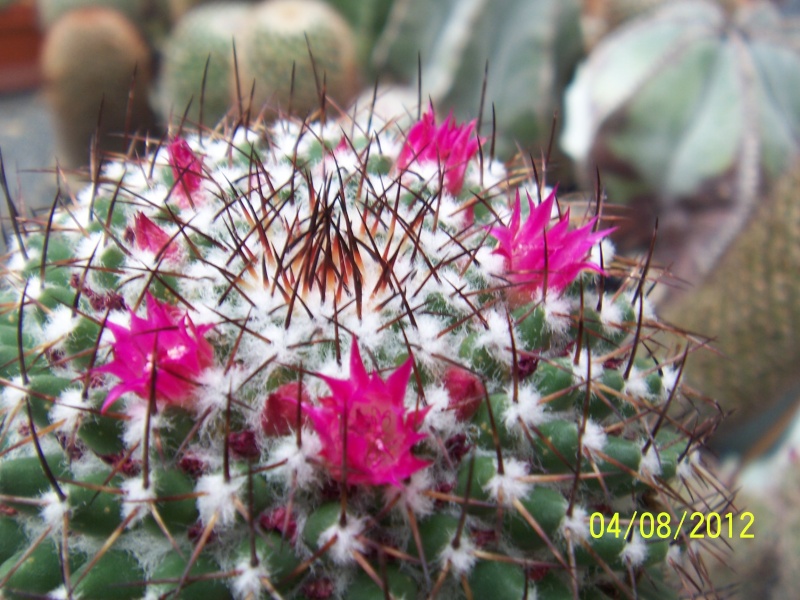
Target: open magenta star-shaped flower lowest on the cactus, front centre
379	431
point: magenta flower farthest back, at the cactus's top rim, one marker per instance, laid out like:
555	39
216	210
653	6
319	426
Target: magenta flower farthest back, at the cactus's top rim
450	146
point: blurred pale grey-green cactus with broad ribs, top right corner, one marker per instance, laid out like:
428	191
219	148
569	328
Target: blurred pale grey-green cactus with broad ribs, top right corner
688	113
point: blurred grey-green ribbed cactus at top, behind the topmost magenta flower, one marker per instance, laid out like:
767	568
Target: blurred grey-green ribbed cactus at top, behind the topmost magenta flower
531	49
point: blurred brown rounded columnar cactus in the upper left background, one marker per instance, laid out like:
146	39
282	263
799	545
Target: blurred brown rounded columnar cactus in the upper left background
95	57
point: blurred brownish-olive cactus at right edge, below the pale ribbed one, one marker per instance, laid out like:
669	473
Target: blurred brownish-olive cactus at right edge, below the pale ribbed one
749	309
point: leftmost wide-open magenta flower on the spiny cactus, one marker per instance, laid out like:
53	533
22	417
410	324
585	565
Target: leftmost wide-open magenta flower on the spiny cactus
165	352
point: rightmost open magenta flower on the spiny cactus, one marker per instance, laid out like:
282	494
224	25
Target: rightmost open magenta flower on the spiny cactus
538	254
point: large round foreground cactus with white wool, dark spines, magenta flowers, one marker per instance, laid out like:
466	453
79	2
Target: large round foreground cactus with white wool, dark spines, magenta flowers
336	359
